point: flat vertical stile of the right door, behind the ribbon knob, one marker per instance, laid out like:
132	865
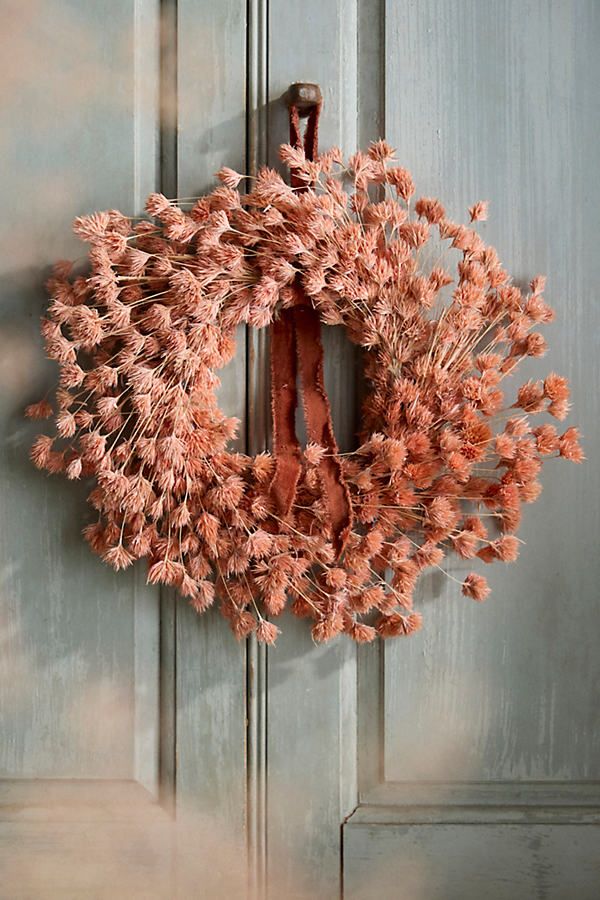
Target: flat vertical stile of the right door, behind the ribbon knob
311	703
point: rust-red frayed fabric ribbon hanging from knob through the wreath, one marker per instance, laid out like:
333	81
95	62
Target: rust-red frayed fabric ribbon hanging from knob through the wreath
296	346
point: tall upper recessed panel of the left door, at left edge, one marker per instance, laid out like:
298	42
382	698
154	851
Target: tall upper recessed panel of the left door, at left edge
80	645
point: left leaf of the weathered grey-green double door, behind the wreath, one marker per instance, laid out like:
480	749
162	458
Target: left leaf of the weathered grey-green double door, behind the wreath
122	717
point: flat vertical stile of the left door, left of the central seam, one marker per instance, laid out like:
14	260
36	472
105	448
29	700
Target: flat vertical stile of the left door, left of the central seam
211	713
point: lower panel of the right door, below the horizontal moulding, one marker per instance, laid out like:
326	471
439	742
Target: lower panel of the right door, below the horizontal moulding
467	862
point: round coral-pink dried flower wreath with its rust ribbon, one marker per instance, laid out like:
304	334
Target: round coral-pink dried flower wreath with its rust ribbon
344	536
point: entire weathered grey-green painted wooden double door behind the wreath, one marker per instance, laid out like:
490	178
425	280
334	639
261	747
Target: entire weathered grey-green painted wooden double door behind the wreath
143	753
